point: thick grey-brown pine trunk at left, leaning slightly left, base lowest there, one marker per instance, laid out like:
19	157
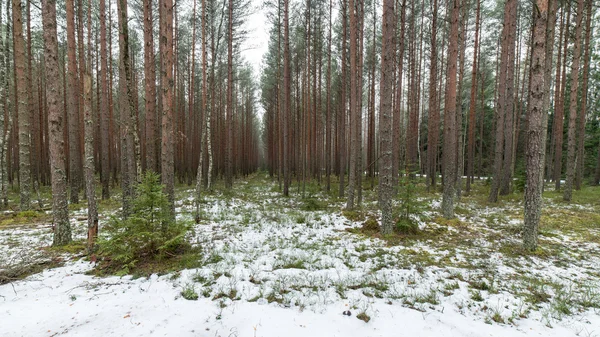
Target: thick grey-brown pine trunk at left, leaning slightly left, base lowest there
60	207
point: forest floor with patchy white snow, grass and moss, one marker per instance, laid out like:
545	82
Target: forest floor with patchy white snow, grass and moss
277	266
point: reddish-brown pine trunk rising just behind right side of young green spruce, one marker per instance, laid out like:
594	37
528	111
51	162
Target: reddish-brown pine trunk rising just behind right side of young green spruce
167	141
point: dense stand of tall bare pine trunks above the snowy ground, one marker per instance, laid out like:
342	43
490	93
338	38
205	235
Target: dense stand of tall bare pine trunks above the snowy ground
351	94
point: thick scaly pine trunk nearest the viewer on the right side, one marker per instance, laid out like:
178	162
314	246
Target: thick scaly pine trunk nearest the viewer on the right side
533	190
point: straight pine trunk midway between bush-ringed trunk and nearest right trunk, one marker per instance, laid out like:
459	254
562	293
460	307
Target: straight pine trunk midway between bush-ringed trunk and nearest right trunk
450	149
